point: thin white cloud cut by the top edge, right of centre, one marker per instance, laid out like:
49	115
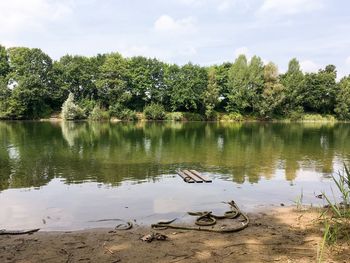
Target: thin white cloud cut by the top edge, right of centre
289	7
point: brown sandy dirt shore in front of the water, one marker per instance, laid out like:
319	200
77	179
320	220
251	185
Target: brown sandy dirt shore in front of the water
280	235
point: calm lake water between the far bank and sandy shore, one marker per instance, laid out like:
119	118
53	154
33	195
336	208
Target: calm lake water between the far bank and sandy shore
60	176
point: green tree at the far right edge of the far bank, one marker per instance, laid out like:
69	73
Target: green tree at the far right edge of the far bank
342	108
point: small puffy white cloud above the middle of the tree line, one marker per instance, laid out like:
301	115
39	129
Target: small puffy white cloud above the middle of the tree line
167	24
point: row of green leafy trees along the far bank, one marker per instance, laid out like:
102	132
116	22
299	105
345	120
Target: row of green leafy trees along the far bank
32	85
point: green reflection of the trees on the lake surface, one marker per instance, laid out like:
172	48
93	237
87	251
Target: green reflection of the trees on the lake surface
33	153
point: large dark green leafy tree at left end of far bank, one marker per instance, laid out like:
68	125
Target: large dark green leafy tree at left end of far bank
31	81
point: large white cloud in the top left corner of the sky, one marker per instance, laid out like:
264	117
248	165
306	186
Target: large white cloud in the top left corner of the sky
19	15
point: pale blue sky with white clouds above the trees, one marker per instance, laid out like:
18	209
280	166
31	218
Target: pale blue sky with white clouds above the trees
203	32
